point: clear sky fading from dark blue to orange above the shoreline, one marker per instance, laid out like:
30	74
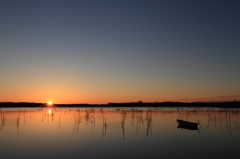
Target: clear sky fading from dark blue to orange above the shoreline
96	52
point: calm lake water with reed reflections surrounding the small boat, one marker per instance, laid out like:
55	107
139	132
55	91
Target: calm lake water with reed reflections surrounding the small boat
118	133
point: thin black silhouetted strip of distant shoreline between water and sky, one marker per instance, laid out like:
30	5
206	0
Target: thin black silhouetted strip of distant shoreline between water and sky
233	104
